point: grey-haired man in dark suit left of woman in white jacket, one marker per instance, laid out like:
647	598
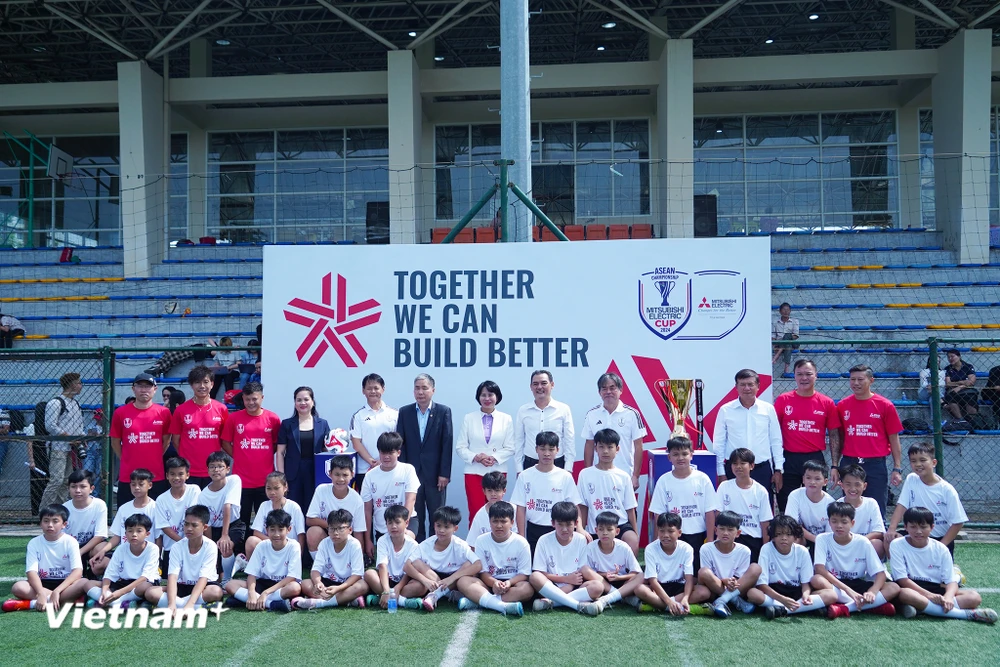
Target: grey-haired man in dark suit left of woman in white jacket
428	436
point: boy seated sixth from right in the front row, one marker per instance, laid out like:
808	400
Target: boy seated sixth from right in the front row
614	562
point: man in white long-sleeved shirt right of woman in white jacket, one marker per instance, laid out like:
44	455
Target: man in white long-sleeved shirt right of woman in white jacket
544	414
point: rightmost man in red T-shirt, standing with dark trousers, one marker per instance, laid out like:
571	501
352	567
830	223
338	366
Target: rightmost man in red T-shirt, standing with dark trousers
870	426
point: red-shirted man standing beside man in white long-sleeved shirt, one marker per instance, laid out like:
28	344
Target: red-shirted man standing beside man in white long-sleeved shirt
805	416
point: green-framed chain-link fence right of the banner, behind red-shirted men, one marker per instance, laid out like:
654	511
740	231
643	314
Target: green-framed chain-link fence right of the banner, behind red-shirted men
959	412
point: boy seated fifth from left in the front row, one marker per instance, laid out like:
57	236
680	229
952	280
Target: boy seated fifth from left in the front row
337	575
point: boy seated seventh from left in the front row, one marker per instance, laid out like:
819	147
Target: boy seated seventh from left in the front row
440	561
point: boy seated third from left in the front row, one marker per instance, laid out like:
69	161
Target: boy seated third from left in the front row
192	577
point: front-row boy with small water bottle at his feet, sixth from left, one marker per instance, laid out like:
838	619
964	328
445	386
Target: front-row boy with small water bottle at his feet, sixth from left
391	553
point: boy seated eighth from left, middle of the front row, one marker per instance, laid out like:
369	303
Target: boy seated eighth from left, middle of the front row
502	584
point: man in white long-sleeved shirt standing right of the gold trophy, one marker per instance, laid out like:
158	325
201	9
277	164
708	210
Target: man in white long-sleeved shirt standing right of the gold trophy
751	423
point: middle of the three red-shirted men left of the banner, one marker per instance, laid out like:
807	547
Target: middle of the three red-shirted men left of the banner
197	424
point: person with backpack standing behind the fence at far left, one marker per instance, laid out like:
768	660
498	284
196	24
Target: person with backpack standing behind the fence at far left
62	418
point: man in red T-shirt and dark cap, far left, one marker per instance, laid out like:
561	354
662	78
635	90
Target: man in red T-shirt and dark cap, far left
139	437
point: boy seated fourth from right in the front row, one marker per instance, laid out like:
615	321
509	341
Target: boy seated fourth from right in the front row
726	570
